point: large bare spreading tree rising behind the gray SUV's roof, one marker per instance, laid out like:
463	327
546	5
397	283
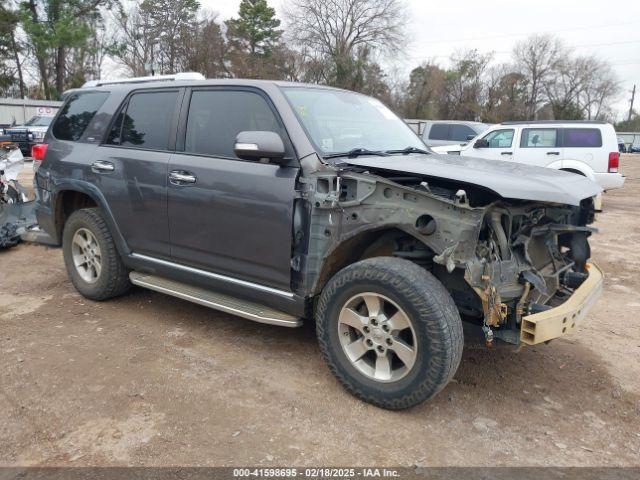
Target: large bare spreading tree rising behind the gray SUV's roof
336	32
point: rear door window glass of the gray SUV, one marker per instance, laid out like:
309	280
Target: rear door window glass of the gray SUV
146	121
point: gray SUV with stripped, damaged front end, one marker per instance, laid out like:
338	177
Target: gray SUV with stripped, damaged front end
284	203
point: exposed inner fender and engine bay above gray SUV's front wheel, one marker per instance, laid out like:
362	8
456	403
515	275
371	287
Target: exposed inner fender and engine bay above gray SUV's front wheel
500	259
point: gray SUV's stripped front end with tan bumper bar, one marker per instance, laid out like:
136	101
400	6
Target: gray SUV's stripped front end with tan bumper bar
530	259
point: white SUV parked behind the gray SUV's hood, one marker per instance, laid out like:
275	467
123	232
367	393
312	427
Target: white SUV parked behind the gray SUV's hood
585	148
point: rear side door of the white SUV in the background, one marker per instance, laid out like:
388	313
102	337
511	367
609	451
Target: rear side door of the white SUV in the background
539	146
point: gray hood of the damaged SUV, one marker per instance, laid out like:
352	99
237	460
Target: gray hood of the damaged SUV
507	179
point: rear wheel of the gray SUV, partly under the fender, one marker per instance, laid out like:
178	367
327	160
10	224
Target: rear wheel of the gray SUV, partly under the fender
91	257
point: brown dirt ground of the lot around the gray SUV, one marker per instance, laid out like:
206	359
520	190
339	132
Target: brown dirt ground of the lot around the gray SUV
151	380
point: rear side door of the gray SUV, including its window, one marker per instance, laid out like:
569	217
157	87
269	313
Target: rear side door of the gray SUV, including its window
131	168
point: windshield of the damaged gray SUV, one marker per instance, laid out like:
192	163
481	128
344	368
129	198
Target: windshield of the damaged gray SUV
339	121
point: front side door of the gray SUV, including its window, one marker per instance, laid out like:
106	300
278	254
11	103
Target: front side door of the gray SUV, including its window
233	217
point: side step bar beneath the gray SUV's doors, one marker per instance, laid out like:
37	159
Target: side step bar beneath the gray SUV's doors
217	301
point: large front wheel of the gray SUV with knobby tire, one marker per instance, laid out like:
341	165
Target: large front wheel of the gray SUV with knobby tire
389	331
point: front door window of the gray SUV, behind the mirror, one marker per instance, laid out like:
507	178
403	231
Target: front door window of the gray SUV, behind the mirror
216	117
